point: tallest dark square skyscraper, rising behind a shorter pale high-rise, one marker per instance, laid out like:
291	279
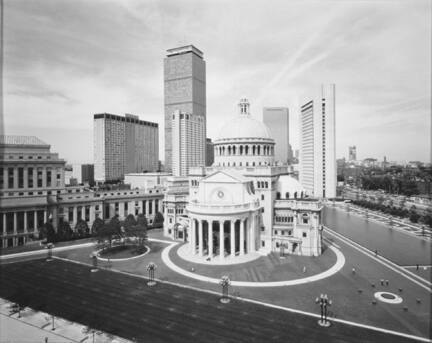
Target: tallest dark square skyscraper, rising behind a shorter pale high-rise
184	90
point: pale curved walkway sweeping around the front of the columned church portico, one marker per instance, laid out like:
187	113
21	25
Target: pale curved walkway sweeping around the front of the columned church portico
329	272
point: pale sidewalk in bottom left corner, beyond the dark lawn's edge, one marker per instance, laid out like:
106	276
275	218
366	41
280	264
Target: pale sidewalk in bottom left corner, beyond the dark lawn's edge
35	327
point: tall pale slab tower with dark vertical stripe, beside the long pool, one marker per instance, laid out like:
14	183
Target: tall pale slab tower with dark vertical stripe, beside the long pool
318	148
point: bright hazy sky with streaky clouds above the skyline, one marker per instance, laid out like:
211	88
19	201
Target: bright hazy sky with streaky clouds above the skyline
65	60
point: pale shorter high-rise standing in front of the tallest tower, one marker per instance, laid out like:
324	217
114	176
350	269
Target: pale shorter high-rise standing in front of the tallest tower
188	142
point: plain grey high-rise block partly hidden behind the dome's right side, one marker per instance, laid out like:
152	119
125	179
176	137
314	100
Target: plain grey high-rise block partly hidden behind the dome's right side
277	120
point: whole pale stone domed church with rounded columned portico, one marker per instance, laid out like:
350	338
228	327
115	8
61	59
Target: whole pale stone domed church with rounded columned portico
245	203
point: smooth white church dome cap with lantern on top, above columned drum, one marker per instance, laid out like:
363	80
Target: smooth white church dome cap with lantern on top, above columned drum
244	126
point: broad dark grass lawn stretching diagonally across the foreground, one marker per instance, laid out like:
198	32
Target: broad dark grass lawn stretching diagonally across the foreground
125	306
